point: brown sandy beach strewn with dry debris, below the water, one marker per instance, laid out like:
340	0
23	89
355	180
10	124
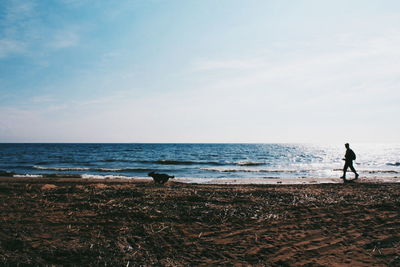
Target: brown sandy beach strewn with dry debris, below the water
129	223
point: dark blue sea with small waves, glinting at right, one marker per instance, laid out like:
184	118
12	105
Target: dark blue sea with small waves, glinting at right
197	163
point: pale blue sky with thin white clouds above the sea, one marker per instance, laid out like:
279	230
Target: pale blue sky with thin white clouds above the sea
286	71
